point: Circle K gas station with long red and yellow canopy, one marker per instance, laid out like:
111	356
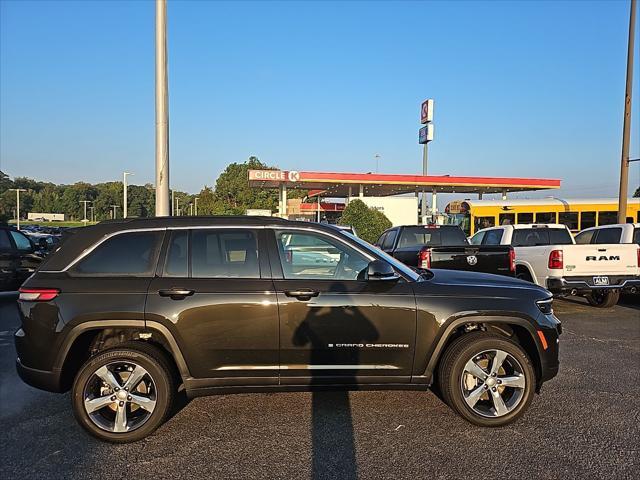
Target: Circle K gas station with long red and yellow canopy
382	191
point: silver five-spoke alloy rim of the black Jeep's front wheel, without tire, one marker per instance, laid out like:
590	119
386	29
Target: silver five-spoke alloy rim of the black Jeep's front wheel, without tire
493	383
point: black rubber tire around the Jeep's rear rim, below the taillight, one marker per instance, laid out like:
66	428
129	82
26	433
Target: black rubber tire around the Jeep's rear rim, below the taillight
159	371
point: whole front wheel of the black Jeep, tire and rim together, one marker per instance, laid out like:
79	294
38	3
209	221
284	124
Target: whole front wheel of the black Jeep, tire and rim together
487	379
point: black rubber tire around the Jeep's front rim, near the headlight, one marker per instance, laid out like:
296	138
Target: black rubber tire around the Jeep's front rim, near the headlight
451	371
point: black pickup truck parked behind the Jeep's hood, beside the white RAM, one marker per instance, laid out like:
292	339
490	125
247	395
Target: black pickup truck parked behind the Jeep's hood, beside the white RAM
445	246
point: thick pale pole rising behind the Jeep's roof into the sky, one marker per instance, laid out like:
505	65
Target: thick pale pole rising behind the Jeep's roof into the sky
162	112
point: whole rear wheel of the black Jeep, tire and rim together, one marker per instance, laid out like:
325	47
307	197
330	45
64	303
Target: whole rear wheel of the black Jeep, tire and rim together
123	394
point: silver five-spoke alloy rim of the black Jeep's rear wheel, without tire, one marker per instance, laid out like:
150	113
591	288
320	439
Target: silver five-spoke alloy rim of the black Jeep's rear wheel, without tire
120	396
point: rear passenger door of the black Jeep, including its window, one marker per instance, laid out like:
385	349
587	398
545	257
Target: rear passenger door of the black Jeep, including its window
227	323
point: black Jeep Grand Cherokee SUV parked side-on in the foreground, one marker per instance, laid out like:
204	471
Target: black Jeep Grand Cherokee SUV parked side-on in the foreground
127	313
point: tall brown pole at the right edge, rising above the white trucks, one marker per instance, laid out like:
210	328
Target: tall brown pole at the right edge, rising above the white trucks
626	128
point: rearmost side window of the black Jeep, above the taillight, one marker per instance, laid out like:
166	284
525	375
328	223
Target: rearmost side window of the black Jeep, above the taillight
123	254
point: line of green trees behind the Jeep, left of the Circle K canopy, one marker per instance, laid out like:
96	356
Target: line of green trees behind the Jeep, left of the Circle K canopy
231	195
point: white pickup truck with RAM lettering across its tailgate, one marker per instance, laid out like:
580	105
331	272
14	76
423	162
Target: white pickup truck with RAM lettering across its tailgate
546	254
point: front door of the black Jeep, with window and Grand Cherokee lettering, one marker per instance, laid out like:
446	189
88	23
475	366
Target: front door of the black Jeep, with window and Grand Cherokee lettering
336	326
